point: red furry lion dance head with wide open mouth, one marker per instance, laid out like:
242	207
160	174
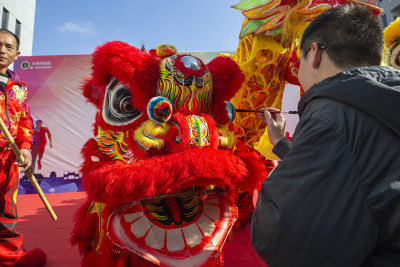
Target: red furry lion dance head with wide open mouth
162	172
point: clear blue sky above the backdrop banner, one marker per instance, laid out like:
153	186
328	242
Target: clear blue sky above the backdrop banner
77	27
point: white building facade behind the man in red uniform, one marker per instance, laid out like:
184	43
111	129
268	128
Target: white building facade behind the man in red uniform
18	16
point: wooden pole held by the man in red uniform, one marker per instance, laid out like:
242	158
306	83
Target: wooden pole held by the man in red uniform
29	172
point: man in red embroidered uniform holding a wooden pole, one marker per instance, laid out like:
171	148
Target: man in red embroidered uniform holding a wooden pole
15	113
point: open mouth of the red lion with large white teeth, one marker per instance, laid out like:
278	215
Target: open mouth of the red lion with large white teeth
180	229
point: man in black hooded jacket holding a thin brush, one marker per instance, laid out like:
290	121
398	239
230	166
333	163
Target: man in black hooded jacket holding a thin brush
334	200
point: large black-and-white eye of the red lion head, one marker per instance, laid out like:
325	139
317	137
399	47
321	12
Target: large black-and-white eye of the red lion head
117	105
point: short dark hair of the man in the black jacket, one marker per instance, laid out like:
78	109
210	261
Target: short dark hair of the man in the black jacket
351	33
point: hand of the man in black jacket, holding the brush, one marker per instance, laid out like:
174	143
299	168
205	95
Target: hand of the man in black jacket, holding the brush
275	124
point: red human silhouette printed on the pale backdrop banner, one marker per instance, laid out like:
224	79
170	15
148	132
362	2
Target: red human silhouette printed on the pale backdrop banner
40	143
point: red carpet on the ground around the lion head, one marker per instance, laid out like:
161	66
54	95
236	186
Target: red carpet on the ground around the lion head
40	231
